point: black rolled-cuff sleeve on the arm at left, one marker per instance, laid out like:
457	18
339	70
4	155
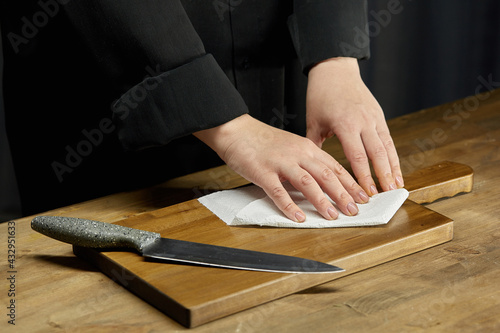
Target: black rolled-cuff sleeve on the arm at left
167	86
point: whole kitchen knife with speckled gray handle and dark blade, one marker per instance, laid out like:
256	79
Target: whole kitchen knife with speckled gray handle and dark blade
100	235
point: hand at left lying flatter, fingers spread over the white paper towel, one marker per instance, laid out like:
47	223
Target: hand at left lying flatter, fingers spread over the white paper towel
268	156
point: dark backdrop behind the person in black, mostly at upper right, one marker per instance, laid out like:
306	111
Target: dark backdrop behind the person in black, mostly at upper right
423	54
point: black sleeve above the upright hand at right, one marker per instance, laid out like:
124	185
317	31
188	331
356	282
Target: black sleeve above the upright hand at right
323	29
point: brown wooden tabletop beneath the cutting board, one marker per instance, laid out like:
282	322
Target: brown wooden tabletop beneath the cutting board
453	287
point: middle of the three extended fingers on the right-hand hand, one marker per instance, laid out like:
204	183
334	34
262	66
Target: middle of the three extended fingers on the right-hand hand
380	159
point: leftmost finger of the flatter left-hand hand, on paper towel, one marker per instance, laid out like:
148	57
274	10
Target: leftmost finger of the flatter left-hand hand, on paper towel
275	190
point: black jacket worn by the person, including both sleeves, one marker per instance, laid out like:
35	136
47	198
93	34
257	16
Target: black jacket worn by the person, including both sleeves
84	79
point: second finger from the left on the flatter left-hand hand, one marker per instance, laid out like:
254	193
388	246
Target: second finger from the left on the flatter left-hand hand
304	182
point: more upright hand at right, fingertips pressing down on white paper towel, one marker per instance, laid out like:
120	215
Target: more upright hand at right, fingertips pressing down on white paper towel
339	103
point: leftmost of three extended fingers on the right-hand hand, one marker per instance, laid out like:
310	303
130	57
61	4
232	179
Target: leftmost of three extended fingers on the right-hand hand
356	155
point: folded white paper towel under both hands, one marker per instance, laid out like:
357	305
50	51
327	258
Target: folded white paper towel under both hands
251	206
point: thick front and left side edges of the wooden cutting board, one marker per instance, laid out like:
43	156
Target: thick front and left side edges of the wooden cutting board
203	314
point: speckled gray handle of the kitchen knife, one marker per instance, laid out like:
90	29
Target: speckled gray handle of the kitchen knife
88	233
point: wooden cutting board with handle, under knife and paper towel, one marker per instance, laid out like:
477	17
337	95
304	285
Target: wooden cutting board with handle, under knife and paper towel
195	295
